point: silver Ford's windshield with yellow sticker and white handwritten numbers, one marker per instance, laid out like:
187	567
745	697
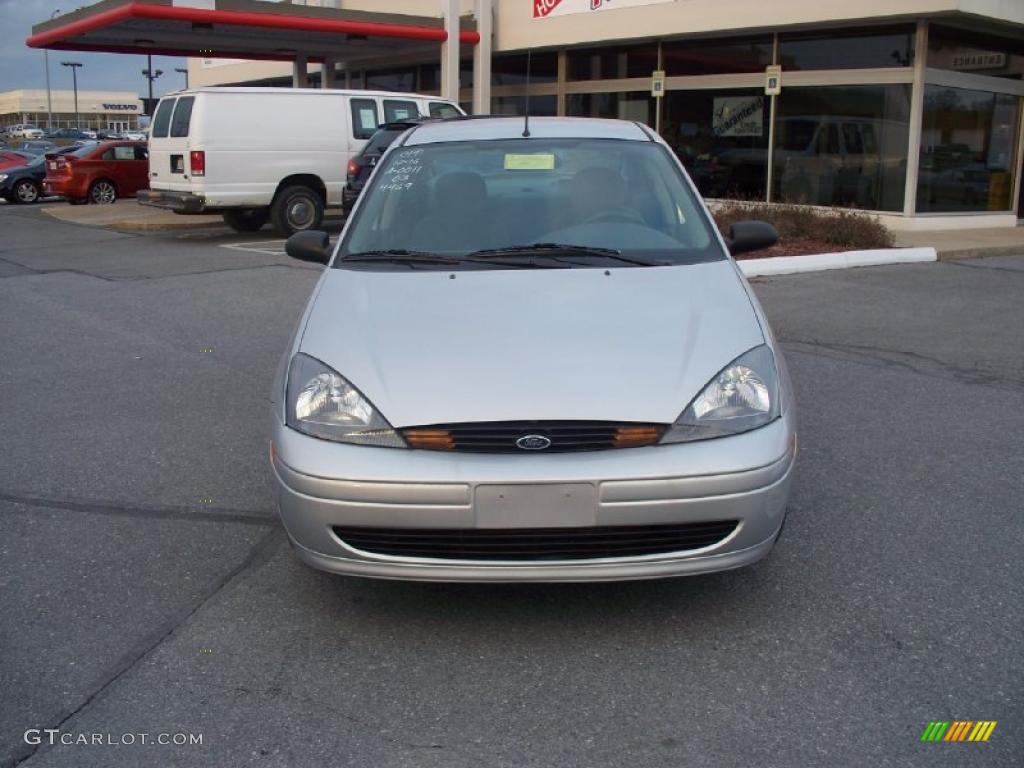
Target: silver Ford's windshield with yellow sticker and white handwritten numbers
532	202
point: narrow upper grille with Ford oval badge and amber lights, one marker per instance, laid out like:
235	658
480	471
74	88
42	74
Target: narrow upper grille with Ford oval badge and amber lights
502	438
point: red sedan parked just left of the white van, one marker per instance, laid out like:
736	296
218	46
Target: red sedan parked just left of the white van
99	174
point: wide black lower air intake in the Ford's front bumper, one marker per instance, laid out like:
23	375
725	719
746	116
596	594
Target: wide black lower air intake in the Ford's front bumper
537	544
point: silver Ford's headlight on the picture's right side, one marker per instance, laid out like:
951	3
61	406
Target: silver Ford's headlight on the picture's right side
744	397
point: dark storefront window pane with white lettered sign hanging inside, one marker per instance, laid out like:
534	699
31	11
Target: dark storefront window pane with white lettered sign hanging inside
722	139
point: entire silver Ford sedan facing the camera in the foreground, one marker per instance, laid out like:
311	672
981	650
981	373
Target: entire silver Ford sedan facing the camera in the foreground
532	359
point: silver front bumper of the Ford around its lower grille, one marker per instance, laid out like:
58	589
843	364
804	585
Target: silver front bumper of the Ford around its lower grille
664	485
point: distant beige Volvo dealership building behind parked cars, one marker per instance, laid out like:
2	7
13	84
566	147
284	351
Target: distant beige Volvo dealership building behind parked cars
113	111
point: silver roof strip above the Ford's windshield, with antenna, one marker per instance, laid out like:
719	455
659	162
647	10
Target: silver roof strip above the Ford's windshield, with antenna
483	130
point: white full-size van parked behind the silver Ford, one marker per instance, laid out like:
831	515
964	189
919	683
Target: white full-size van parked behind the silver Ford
260	154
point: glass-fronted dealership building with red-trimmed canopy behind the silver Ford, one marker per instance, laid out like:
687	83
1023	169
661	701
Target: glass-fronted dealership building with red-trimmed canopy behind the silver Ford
909	108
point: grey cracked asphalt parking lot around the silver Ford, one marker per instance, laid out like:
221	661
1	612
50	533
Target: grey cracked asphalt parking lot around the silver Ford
146	586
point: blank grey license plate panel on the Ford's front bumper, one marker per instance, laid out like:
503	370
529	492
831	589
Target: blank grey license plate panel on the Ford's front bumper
536	506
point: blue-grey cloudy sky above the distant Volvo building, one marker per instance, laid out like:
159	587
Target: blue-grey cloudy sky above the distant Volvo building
22	67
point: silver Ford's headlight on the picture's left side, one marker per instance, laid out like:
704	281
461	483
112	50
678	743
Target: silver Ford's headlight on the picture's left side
323	404
